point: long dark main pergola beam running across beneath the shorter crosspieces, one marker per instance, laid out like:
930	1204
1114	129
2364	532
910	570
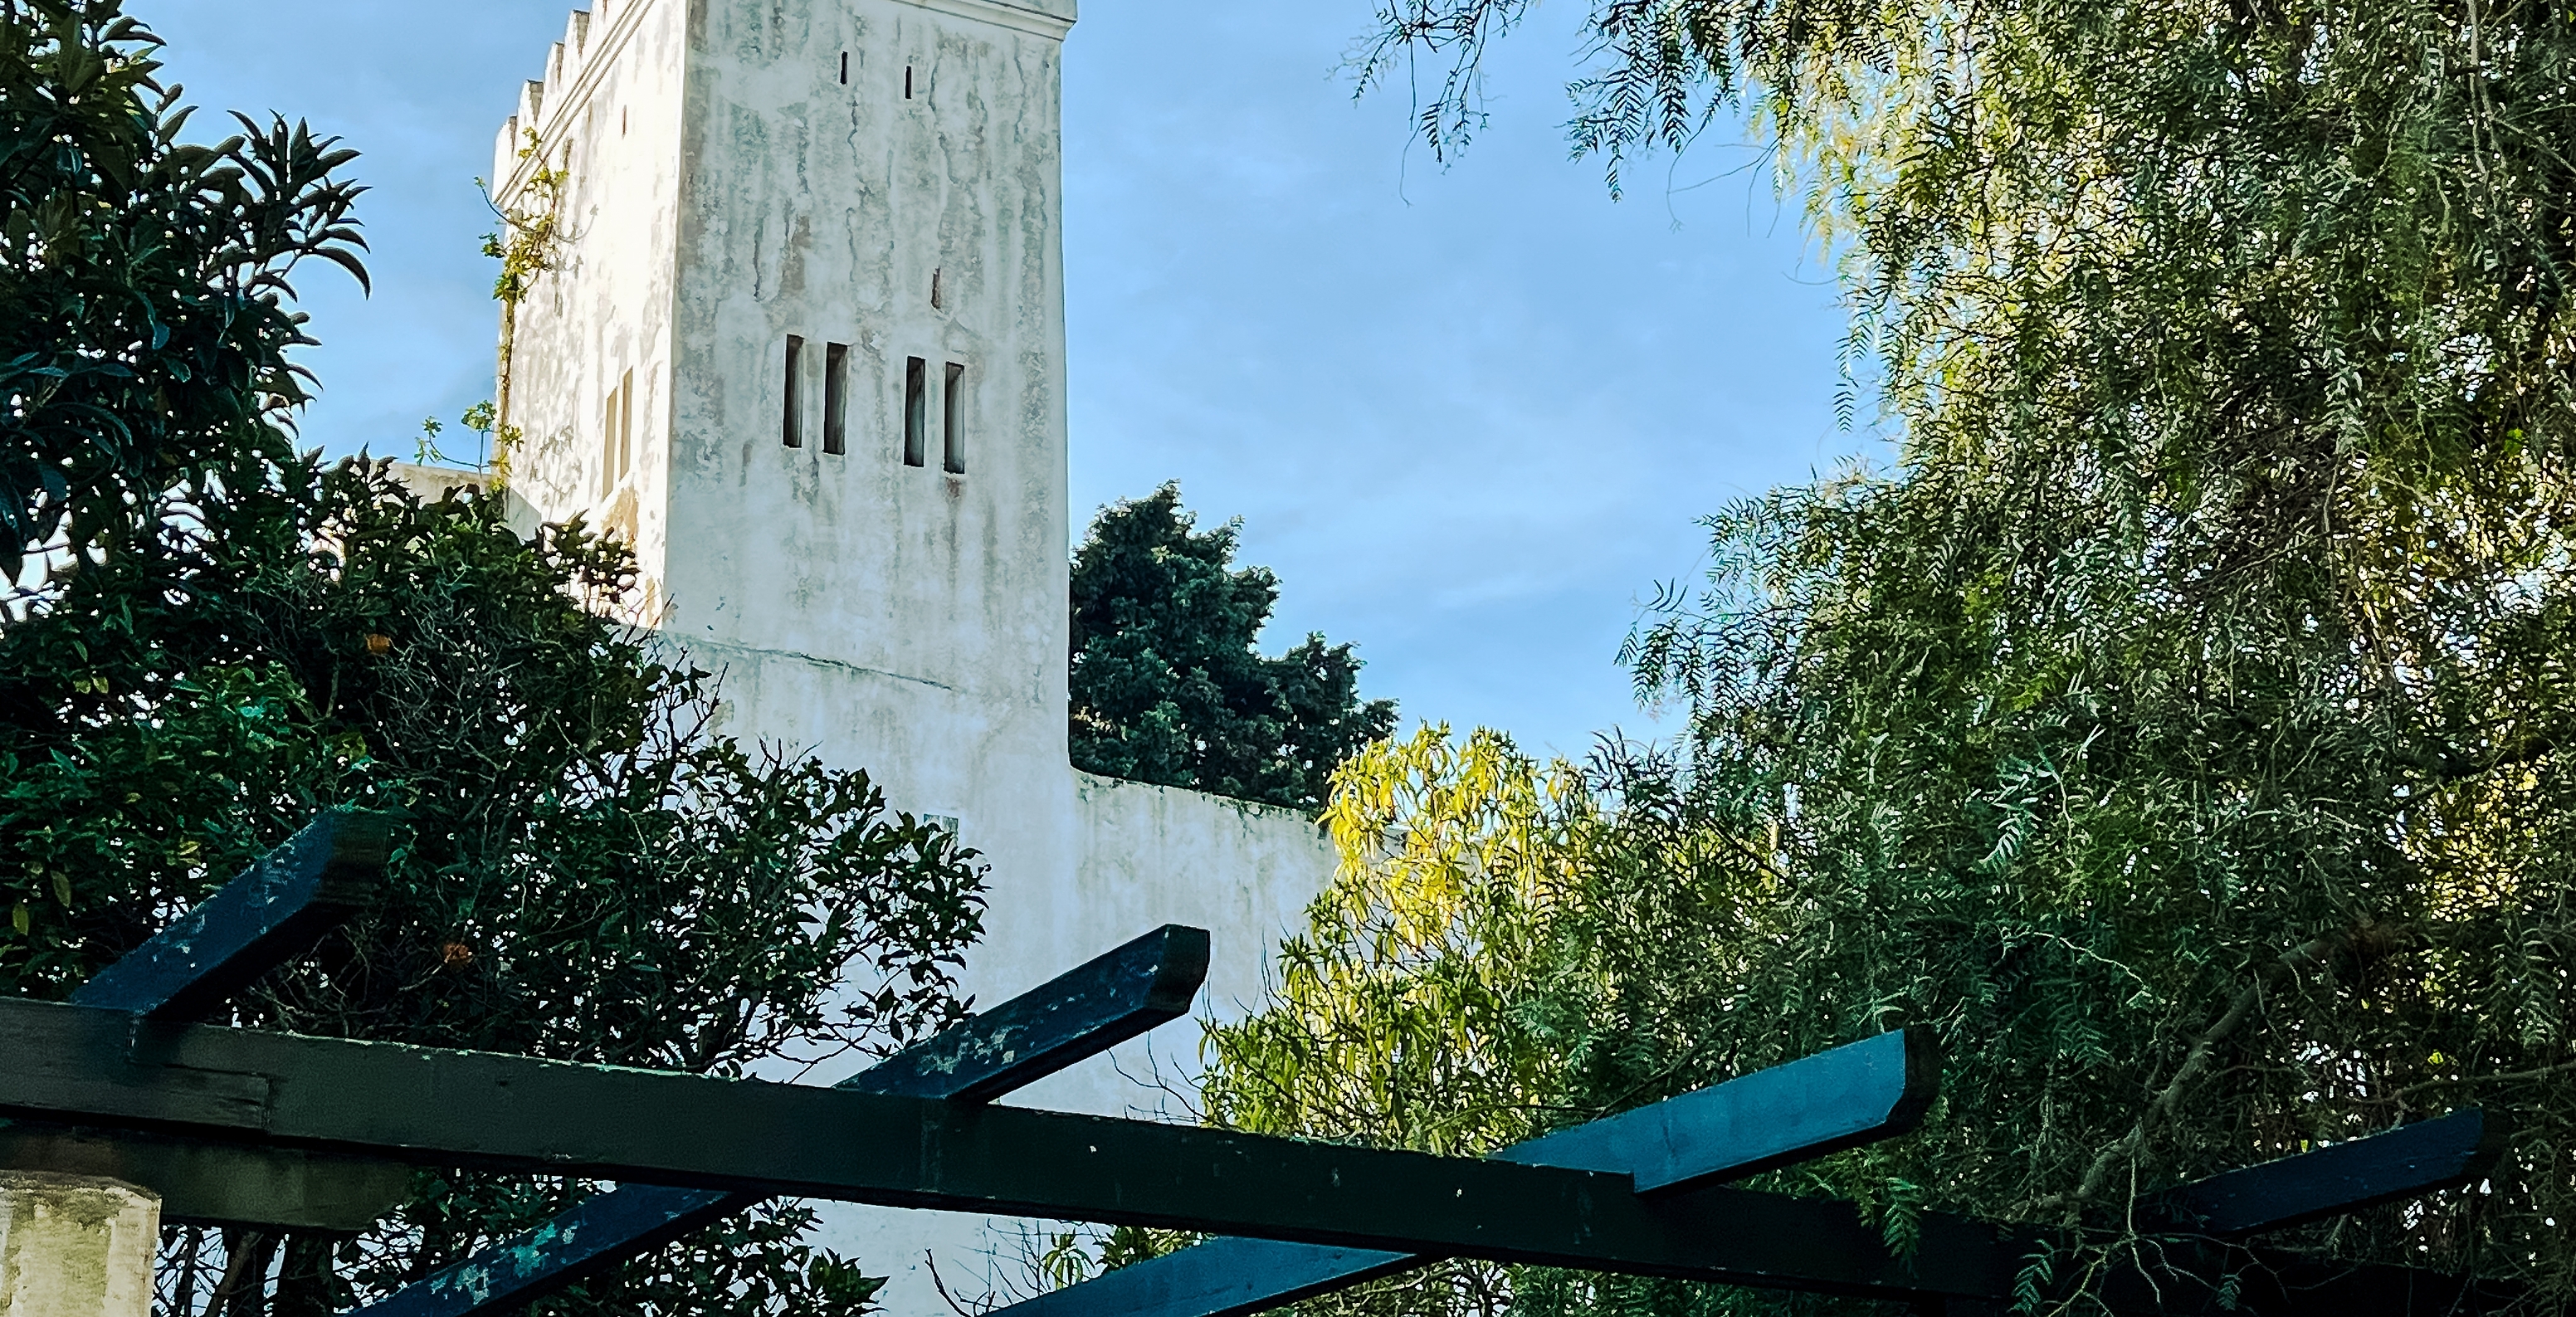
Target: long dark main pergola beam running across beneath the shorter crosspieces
522	1115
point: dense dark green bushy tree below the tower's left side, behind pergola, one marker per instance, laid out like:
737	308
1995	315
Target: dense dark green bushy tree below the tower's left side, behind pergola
583	872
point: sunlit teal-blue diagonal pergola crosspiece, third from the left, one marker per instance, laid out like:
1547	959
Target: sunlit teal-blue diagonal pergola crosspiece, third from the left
1774	1117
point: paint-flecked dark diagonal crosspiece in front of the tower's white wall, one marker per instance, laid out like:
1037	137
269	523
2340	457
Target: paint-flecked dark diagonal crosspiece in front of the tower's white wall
1014	1045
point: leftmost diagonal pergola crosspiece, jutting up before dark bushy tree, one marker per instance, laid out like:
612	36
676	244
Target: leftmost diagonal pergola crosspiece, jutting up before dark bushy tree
256	924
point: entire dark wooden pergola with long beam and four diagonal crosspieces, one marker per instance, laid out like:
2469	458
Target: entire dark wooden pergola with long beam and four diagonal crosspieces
274	1130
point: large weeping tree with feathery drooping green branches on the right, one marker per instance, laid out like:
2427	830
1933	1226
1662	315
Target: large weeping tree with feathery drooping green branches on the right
2178	731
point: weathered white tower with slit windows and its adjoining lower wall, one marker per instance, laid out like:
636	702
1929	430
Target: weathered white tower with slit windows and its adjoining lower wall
802	344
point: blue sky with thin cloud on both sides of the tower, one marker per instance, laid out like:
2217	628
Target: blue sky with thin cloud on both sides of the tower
1467	414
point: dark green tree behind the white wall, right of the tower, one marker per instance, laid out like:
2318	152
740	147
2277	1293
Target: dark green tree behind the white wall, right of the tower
1168	684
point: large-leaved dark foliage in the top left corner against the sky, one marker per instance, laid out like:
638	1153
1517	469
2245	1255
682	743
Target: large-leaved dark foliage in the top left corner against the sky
99	202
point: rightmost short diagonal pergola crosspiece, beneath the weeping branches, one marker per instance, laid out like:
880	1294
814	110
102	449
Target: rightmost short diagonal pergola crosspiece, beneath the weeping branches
2333	1182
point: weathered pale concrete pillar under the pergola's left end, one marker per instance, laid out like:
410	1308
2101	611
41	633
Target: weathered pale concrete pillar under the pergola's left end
76	1246
